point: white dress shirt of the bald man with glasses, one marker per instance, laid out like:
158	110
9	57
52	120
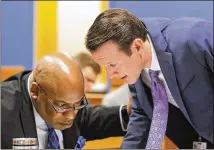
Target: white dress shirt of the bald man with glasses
42	130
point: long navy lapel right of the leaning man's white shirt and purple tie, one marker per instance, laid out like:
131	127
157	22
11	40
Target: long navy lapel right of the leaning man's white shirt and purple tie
165	61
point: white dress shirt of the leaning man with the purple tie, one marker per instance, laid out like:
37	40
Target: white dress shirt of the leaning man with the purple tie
156	66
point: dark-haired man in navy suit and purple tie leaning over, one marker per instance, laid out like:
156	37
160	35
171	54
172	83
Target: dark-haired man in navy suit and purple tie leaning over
169	66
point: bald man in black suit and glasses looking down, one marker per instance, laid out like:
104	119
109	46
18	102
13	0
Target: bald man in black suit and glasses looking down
51	99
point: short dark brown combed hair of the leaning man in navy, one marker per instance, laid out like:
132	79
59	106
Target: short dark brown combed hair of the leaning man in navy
117	25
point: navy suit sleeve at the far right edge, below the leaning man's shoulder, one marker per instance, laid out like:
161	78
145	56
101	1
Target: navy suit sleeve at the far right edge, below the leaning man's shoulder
200	41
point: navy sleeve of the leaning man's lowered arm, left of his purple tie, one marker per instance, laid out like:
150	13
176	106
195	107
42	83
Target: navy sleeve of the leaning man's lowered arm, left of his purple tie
138	127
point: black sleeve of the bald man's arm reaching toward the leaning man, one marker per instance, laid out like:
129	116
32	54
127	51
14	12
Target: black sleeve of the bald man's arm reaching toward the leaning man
100	122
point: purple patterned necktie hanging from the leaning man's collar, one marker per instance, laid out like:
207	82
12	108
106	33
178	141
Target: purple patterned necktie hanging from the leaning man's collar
160	113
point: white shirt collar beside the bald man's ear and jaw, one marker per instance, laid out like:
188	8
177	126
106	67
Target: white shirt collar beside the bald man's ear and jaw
40	123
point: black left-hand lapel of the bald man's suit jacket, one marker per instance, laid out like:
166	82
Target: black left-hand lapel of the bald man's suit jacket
27	116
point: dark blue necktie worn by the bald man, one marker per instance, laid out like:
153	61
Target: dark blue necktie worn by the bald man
53	141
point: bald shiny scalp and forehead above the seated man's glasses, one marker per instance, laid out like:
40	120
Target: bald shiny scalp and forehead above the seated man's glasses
59	73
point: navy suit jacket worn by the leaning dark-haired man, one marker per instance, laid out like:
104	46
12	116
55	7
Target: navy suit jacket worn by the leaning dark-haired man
184	49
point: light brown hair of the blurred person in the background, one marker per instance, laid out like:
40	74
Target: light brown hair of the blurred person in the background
84	59
